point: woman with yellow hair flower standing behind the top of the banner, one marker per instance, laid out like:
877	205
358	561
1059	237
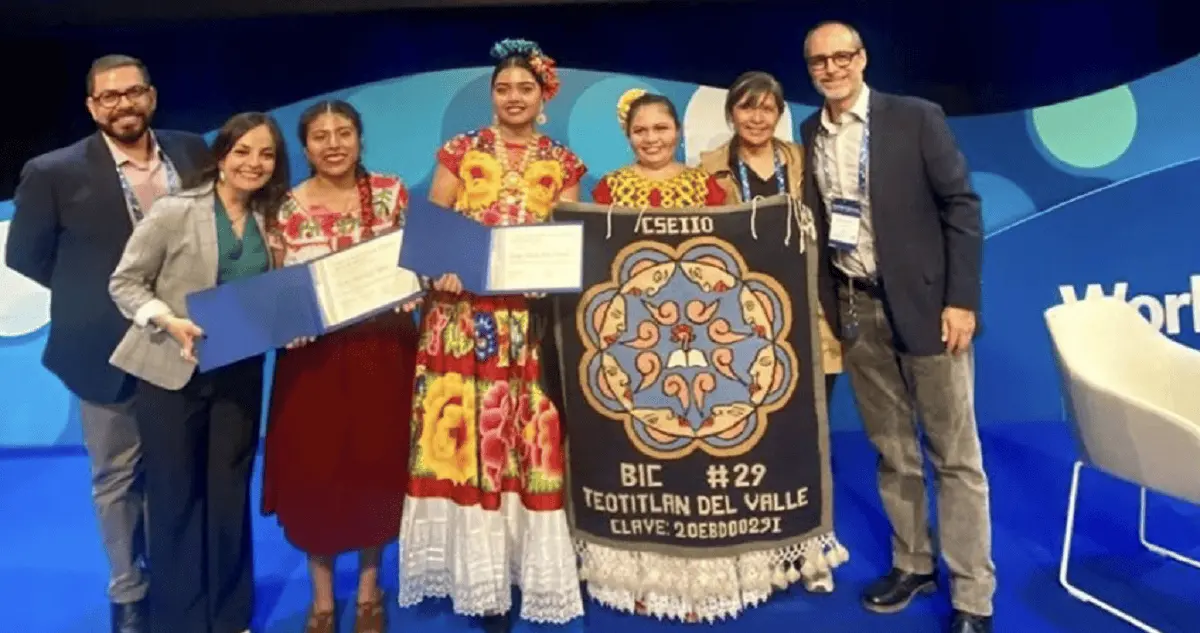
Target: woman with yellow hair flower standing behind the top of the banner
656	180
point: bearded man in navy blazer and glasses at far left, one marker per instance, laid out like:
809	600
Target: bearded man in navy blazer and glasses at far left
75	210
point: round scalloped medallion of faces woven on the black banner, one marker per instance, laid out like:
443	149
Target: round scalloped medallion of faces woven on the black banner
688	348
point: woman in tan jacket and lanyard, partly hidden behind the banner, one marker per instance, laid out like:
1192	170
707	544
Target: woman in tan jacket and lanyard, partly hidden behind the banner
755	164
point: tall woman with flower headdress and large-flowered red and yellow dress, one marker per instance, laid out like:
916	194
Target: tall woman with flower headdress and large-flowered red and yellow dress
485	497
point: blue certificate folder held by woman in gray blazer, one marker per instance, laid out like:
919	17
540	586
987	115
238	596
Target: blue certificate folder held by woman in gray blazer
254	316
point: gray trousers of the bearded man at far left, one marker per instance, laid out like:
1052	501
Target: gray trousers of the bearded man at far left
115	449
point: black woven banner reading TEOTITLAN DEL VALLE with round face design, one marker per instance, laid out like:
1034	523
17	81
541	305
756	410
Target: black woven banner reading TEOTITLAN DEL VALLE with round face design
695	406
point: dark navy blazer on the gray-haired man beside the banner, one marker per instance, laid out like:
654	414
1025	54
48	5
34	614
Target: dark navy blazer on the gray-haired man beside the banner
926	216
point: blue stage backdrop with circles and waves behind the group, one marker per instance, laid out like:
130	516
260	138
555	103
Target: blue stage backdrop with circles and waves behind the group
1082	198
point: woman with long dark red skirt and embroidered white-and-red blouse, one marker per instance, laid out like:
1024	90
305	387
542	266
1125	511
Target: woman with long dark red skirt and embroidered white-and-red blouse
337	459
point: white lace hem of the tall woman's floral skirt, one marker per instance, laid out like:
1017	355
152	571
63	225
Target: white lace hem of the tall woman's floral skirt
476	557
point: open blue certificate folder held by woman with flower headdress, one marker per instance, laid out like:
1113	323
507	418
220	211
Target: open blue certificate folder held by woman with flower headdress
441	242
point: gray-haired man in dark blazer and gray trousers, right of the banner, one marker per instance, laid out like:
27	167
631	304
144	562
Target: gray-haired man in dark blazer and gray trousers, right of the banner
902	225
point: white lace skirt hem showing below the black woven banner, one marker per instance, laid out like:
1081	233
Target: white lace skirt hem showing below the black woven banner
705	589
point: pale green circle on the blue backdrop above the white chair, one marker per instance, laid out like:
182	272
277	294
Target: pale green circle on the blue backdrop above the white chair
1089	132
